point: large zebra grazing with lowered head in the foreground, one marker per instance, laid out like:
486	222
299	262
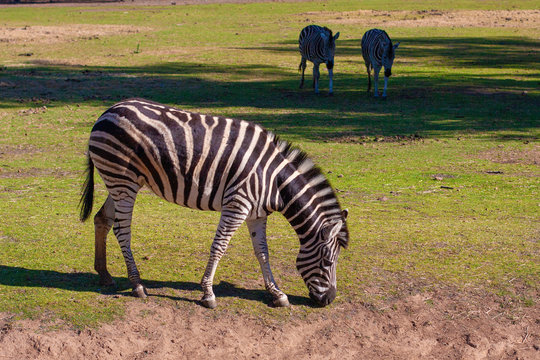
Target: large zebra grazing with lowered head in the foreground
212	163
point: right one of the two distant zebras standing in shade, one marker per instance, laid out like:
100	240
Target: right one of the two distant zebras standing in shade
378	51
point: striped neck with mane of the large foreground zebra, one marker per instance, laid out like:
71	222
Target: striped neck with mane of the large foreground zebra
308	201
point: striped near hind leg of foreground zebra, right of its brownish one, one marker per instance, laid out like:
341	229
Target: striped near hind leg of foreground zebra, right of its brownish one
122	230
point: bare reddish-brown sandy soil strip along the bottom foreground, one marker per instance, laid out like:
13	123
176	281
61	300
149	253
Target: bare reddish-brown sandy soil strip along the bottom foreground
441	325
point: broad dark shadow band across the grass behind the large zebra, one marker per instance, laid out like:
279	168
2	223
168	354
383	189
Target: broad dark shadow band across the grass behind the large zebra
425	103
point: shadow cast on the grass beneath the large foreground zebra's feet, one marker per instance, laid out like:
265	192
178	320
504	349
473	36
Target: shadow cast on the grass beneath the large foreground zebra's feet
88	282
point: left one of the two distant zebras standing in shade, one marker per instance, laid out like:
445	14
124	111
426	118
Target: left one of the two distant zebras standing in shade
317	45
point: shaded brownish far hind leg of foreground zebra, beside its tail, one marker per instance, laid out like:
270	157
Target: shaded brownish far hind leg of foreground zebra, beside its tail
103	222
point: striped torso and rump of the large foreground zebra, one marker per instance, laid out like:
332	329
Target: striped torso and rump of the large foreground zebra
187	158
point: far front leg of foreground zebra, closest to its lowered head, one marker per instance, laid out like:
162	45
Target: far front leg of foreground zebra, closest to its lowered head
257	230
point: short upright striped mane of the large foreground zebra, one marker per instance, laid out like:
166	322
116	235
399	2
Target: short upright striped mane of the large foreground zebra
300	160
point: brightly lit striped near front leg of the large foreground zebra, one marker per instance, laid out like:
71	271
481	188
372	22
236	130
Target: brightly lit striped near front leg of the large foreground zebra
230	221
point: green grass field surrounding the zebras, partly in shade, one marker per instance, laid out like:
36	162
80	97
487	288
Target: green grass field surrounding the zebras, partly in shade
463	103
